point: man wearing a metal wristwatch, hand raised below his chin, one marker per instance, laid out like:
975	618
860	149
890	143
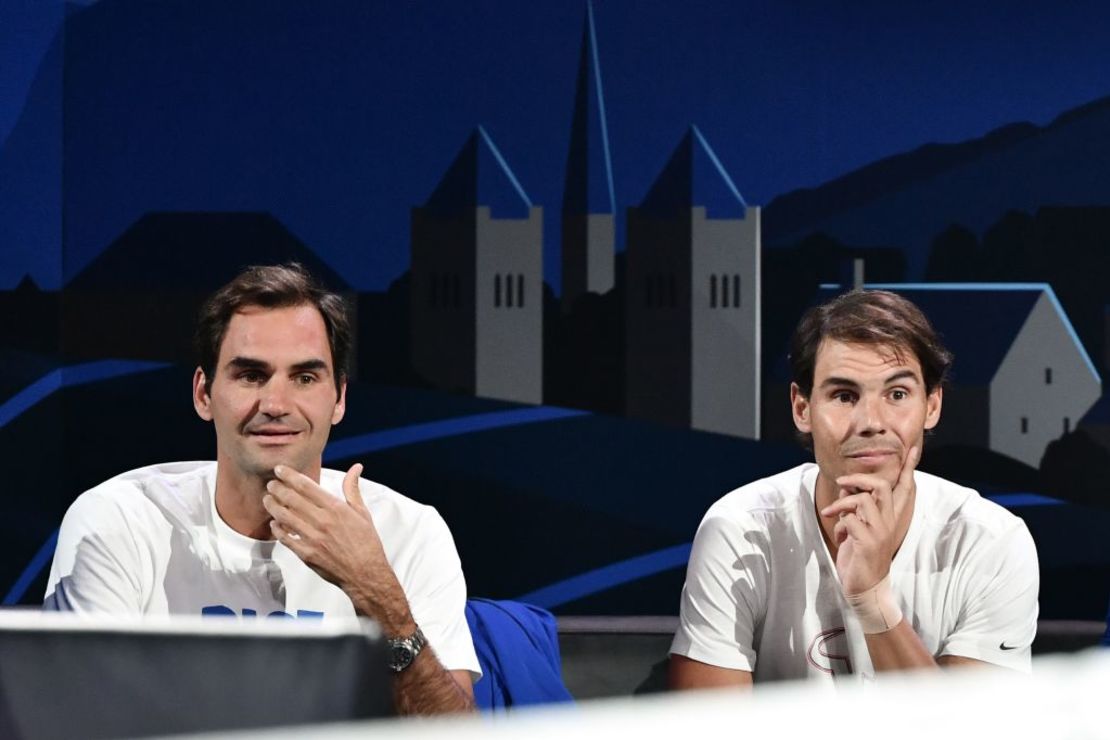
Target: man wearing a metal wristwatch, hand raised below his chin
266	531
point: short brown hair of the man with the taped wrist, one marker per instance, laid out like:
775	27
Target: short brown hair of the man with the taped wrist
874	318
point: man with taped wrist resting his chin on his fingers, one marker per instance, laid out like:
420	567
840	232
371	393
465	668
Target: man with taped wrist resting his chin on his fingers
859	563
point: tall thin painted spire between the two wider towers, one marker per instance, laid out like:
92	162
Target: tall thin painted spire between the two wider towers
588	196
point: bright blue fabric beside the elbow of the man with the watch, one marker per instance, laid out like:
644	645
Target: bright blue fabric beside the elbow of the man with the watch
518	648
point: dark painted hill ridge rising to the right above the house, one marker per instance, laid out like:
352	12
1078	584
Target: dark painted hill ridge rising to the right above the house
910	199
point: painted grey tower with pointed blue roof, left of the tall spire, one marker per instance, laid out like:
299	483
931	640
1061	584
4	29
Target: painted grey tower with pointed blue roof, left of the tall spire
477	292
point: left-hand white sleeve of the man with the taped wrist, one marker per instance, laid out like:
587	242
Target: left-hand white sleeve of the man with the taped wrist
722	601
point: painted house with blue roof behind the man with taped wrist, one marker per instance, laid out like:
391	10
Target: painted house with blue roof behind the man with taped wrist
1022	378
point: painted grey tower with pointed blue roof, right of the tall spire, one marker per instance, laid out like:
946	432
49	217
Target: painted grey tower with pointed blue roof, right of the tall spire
693	299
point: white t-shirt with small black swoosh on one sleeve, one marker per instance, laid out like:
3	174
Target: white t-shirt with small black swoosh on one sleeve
763	595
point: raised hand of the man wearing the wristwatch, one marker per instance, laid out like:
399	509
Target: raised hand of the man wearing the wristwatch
337	538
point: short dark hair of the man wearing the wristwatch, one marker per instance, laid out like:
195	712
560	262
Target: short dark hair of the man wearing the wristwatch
273	287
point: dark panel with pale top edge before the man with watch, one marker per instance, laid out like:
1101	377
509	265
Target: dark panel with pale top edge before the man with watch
64	676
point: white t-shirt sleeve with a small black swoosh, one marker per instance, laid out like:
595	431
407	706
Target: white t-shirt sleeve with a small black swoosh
998	619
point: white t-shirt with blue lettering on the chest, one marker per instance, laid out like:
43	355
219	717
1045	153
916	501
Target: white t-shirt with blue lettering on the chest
150	542
